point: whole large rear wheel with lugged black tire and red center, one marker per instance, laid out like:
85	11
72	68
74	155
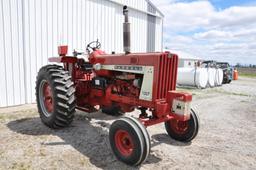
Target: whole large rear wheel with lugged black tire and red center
55	96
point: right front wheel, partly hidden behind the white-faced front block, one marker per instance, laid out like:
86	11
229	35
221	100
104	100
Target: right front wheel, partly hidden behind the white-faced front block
183	130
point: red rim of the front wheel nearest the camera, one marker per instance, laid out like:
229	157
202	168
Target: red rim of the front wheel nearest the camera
124	142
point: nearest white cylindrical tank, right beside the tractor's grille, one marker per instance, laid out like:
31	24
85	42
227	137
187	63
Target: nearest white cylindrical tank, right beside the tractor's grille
192	77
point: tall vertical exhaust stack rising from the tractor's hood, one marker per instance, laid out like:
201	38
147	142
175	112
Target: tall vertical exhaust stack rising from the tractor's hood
126	33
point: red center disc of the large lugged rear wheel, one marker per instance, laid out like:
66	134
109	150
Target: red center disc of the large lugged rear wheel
47	97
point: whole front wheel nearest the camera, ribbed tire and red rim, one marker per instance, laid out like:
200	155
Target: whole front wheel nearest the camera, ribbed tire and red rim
129	141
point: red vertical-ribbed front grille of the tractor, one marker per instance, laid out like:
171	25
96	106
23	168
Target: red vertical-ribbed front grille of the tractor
167	74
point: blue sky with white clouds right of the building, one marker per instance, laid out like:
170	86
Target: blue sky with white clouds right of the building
222	30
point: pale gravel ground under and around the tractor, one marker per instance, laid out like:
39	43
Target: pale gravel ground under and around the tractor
226	139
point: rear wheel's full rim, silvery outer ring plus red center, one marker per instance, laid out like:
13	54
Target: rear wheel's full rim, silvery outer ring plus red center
46	98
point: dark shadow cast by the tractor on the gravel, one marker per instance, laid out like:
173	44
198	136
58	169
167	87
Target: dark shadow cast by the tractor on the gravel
90	139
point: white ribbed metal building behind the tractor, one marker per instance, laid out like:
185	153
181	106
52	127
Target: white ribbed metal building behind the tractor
31	30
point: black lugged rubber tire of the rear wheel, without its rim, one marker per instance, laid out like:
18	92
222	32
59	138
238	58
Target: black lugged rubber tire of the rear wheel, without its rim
64	91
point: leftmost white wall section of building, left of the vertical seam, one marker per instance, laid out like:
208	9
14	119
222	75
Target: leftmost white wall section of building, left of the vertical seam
11	53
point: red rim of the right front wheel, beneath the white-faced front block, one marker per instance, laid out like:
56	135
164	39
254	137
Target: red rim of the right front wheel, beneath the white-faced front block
179	127
